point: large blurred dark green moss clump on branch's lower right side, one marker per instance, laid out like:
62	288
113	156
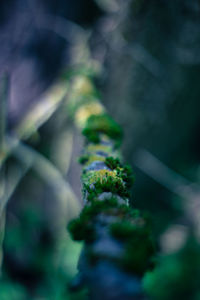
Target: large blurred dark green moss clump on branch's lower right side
139	246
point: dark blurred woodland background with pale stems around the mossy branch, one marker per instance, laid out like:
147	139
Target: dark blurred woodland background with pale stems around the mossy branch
144	56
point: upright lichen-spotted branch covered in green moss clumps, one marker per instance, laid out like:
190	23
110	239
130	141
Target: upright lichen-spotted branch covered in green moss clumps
118	245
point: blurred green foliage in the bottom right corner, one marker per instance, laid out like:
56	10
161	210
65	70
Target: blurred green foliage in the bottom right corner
177	276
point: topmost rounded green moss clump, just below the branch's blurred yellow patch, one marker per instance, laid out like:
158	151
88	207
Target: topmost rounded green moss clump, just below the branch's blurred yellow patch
103	123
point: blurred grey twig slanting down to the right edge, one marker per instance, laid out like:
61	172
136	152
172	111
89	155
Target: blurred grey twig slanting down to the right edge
174	182
